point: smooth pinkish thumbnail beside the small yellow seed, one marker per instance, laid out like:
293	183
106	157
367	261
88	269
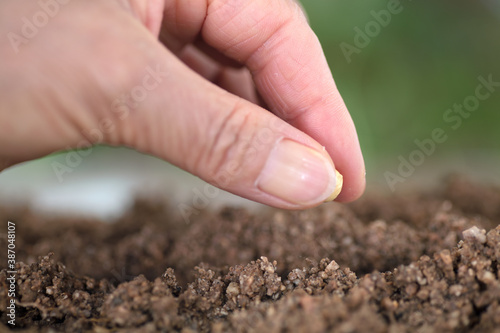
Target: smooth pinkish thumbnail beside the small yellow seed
298	174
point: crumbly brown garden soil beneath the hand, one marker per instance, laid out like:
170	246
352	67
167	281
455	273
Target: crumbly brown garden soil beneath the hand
418	263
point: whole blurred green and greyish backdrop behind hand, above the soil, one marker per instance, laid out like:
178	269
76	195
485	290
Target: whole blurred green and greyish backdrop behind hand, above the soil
397	78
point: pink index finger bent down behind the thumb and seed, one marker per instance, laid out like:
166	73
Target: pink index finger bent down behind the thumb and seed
273	39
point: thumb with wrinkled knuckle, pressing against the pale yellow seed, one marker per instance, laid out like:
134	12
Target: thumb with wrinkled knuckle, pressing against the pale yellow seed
227	141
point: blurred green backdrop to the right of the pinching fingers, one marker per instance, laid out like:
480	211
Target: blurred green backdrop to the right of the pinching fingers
399	86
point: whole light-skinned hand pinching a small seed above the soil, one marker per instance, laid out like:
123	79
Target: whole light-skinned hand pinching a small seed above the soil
236	79
